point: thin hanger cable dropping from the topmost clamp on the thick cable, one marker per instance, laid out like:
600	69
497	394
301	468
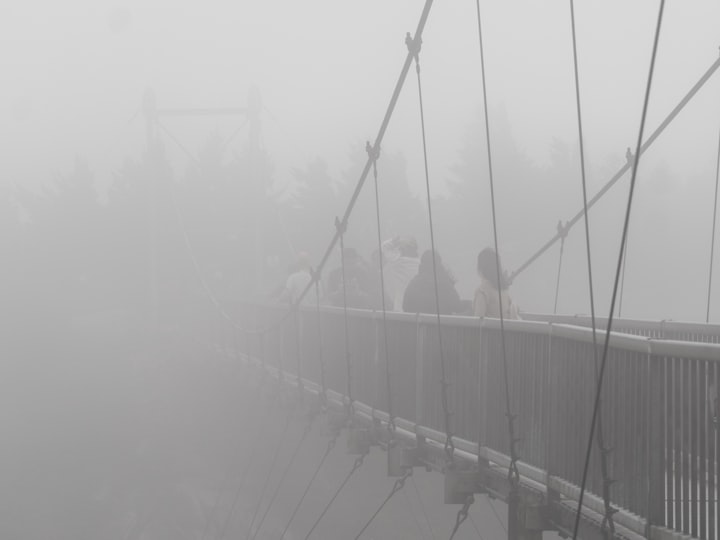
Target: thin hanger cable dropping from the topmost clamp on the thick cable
414	45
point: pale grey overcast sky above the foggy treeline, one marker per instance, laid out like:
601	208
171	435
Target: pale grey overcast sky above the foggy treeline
74	73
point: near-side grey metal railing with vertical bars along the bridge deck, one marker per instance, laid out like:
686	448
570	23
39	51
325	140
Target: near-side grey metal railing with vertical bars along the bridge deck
659	401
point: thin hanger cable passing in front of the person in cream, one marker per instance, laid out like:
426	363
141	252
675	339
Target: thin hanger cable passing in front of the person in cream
513	473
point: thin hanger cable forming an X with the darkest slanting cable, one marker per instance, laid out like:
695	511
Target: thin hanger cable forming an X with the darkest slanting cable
608	523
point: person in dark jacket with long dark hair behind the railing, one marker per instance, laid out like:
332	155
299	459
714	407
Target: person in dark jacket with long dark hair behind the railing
420	293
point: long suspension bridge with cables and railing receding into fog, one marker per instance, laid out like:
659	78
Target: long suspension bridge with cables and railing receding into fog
593	427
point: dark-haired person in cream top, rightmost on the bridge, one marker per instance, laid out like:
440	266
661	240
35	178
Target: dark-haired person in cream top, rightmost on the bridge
486	302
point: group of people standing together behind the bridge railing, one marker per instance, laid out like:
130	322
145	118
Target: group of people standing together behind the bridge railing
410	283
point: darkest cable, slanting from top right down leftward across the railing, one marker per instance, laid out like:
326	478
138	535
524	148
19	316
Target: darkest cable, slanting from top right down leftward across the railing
636	161
